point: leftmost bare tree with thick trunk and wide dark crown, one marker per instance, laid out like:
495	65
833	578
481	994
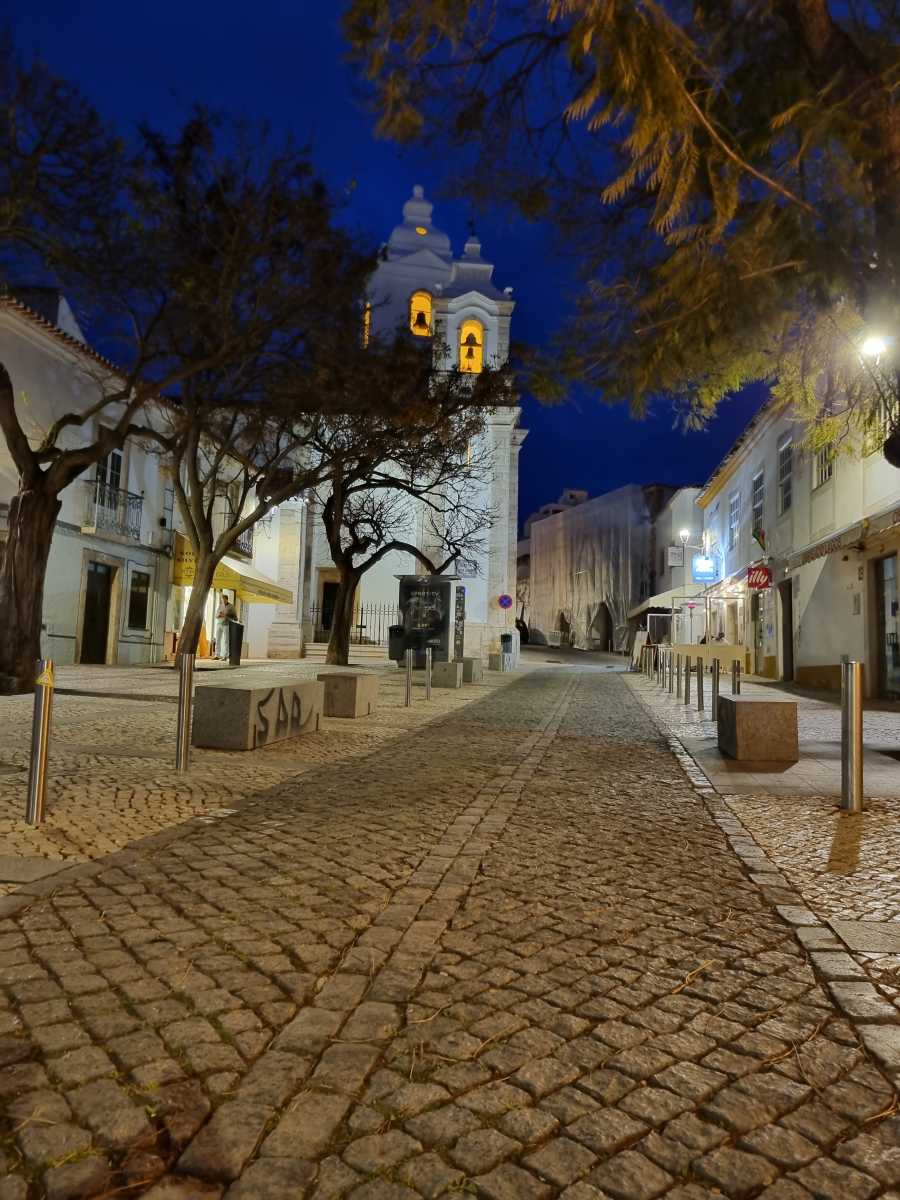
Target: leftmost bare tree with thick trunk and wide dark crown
224	281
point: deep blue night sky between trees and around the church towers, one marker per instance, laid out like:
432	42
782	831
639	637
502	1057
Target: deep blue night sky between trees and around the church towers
284	62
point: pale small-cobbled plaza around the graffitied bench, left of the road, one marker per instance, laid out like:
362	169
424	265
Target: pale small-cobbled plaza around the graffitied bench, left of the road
111	777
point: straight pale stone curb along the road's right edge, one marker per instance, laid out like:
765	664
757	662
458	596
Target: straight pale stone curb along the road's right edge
874	1018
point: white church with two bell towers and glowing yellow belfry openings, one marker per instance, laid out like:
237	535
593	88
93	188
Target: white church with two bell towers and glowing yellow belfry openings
423	287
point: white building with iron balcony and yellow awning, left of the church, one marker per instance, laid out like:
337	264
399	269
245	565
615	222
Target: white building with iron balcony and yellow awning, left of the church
119	578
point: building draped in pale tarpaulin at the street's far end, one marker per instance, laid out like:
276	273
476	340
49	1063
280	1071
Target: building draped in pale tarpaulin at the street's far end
591	566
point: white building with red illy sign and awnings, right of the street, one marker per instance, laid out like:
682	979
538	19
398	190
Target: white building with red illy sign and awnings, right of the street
826	530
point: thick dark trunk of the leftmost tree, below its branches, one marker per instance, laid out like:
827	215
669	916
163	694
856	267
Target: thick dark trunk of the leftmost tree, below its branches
33	515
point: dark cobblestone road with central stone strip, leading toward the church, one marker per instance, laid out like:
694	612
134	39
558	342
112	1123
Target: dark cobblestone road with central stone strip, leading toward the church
514	952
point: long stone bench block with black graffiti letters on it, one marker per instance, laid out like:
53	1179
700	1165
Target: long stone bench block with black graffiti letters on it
227	717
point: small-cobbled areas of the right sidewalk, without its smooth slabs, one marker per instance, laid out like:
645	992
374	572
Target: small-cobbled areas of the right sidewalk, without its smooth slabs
844	867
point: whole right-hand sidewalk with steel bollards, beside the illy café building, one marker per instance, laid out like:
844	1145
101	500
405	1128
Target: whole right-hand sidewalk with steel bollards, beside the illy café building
847	868
